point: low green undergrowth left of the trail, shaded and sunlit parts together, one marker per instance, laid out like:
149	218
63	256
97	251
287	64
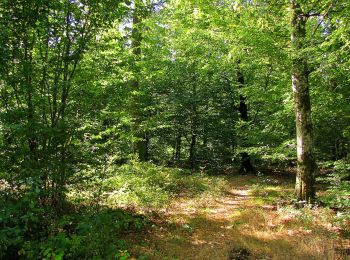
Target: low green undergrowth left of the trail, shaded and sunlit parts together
98	213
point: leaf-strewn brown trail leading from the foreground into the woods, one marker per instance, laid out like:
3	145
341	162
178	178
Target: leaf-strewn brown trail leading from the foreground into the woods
202	228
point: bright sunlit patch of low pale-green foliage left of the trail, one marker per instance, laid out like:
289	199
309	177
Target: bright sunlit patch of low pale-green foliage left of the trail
145	185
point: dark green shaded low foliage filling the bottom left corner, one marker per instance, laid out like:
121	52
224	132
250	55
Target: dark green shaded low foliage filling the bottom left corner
87	233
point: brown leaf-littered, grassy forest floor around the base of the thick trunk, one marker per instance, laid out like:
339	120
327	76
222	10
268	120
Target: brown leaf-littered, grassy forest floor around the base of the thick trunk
249	220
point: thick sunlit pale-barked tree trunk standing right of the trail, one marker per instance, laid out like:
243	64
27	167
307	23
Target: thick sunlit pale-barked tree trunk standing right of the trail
304	187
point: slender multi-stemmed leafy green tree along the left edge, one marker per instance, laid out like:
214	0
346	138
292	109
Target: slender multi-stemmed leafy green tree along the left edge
44	45
